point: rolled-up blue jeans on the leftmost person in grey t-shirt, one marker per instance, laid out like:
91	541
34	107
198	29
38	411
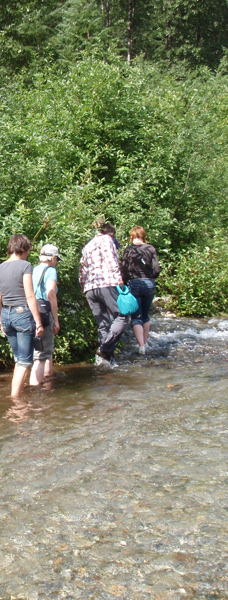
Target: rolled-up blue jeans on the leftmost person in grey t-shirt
19	326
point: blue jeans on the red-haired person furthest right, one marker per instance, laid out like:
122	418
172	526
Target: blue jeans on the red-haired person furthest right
143	290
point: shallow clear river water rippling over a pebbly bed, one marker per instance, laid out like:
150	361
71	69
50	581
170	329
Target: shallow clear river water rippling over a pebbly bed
114	483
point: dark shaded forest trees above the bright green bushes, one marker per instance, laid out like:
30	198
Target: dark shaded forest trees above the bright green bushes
59	30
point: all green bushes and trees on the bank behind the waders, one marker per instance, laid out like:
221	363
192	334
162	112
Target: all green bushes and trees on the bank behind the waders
104	113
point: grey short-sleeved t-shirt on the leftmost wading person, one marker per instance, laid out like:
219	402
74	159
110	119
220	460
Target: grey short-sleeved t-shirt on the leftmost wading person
11	282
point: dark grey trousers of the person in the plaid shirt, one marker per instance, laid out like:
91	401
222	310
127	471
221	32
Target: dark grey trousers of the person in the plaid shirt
102	302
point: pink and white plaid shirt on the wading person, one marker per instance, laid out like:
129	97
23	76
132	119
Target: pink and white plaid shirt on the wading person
99	265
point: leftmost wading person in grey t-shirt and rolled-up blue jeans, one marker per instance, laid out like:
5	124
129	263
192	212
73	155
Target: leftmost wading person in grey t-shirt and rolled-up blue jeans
20	317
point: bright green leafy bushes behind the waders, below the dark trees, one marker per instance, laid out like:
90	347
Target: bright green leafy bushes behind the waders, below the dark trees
128	143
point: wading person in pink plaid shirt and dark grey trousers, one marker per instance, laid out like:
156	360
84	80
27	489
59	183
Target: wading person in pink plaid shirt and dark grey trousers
99	275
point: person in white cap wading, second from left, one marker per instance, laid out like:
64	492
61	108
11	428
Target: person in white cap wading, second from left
45	287
